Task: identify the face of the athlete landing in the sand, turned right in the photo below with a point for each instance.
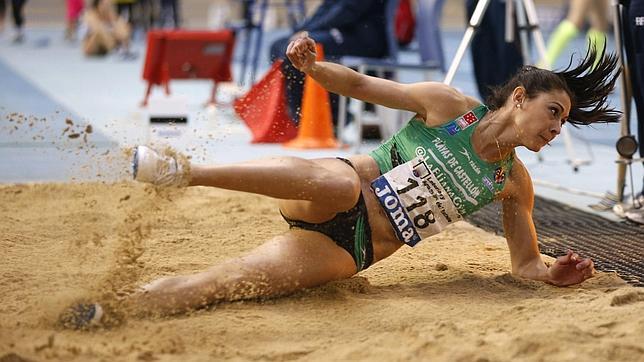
(539, 119)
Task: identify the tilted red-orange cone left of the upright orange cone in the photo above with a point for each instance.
(263, 109)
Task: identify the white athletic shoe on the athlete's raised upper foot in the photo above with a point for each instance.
(151, 167)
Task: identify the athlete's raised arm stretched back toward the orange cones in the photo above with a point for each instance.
(430, 100)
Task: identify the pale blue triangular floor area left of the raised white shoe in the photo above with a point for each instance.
(41, 140)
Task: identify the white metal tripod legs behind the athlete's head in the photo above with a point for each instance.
(528, 21)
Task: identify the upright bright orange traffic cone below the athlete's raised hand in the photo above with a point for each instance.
(316, 124)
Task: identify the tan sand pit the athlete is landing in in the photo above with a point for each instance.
(451, 298)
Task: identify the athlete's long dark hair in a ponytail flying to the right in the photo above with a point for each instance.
(588, 86)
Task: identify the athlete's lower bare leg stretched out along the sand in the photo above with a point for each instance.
(295, 260)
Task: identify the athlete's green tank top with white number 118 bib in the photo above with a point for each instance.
(431, 176)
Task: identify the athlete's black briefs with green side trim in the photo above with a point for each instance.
(350, 230)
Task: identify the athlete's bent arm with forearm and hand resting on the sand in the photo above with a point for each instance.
(521, 236)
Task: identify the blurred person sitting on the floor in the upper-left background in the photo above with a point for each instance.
(105, 30)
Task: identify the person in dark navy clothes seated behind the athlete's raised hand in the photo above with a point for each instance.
(343, 27)
